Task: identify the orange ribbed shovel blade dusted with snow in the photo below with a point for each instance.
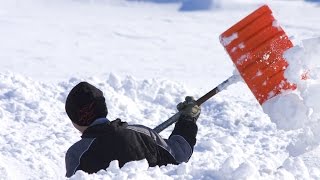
(256, 45)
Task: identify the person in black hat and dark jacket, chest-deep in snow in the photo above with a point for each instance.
(103, 141)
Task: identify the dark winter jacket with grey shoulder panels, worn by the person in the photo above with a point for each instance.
(116, 140)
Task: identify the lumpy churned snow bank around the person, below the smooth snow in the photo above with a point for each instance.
(234, 141)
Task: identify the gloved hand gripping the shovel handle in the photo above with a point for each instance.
(189, 109)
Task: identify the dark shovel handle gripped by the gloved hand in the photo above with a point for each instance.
(200, 101)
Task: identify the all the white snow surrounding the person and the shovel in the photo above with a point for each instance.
(146, 57)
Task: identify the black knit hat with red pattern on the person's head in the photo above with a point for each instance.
(85, 103)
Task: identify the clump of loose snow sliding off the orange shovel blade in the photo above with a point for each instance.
(300, 109)
